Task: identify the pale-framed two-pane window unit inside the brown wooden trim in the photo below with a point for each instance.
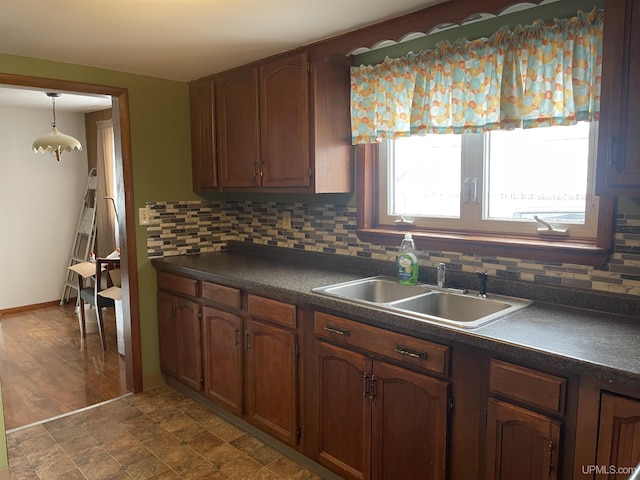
(493, 182)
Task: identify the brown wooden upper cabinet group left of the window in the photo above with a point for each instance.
(282, 126)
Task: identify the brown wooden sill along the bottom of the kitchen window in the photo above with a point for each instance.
(560, 250)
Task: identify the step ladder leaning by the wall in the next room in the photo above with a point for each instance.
(85, 236)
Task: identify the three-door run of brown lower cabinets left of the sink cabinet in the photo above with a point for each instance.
(243, 359)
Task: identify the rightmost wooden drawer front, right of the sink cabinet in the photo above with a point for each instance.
(534, 388)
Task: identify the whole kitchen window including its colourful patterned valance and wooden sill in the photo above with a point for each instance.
(478, 193)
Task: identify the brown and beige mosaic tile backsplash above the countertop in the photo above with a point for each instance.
(183, 228)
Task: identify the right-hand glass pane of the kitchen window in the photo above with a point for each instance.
(539, 171)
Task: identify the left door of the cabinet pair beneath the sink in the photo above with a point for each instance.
(344, 411)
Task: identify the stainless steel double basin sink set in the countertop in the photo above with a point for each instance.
(425, 302)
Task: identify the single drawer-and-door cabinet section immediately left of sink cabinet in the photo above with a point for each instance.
(271, 374)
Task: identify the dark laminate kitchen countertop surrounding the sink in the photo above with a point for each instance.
(580, 341)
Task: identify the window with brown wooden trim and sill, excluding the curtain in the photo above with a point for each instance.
(477, 194)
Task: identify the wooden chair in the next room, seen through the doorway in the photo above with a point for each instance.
(89, 294)
